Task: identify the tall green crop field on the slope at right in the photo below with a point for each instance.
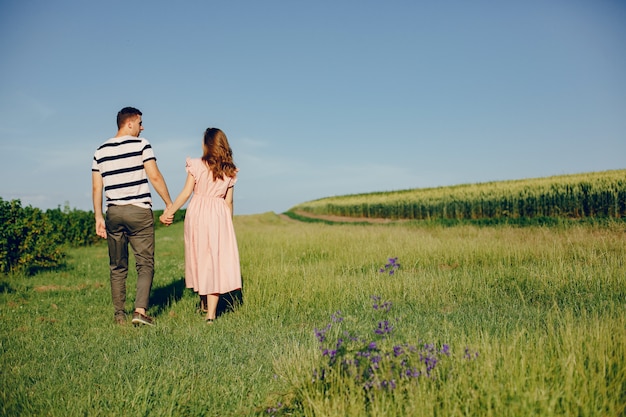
(597, 195)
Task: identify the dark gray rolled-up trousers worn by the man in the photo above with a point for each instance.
(134, 225)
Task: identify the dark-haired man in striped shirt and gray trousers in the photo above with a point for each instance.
(122, 167)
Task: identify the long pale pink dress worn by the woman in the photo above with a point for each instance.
(211, 253)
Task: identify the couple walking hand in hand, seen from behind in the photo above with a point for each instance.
(122, 167)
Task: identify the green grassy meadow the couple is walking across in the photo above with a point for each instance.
(544, 308)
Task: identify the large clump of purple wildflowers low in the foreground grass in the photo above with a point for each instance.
(373, 360)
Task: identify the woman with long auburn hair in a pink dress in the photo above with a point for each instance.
(211, 254)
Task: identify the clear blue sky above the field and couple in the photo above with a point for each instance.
(317, 98)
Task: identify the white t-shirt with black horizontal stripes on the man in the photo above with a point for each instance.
(120, 162)
